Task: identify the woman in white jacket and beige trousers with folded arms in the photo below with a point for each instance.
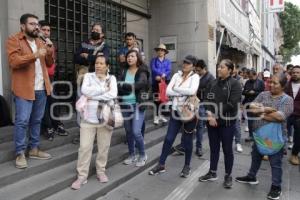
(100, 88)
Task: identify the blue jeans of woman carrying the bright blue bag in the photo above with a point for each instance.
(275, 162)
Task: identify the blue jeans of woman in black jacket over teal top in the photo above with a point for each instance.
(133, 127)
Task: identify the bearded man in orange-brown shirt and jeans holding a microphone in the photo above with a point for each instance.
(28, 57)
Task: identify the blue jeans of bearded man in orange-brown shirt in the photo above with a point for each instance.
(29, 114)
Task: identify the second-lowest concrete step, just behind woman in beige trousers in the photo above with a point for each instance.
(59, 178)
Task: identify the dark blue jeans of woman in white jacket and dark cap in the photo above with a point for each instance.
(173, 129)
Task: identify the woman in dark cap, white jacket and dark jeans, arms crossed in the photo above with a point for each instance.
(183, 84)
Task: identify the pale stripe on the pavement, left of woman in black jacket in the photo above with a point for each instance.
(188, 186)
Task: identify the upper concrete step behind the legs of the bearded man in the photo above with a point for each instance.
(8, 152)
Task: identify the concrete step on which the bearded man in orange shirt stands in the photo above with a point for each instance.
(63, 154)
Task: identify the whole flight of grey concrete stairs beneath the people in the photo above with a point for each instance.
(45, 179)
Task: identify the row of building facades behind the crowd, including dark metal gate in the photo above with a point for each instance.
(204, 28)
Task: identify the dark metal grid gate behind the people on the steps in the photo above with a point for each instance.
(71, 22)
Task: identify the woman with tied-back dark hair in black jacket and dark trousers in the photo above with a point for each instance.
(224, 95)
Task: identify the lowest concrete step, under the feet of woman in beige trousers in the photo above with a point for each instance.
(118, 174)
